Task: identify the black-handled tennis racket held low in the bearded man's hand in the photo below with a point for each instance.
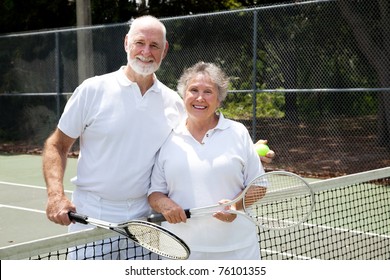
(150, 236)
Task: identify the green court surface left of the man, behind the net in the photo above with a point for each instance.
(23, 199)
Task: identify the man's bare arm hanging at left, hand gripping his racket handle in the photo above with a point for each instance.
(55, 155)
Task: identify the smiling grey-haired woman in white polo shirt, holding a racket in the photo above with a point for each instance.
(206, 160)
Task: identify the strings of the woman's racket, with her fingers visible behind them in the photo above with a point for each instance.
(287, 202)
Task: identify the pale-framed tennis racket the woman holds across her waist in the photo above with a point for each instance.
(275, 200)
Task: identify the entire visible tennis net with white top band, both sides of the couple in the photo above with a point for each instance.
(351, 220)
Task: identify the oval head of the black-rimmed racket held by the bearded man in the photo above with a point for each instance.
(157, 239)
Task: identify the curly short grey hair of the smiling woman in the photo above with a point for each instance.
(216, 74)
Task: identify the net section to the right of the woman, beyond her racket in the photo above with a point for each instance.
(351, 220)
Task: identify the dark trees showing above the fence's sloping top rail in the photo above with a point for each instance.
(21, 15)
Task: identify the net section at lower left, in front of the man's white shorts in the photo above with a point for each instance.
(90, 244)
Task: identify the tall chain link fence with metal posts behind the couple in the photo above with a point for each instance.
(310, 77)
